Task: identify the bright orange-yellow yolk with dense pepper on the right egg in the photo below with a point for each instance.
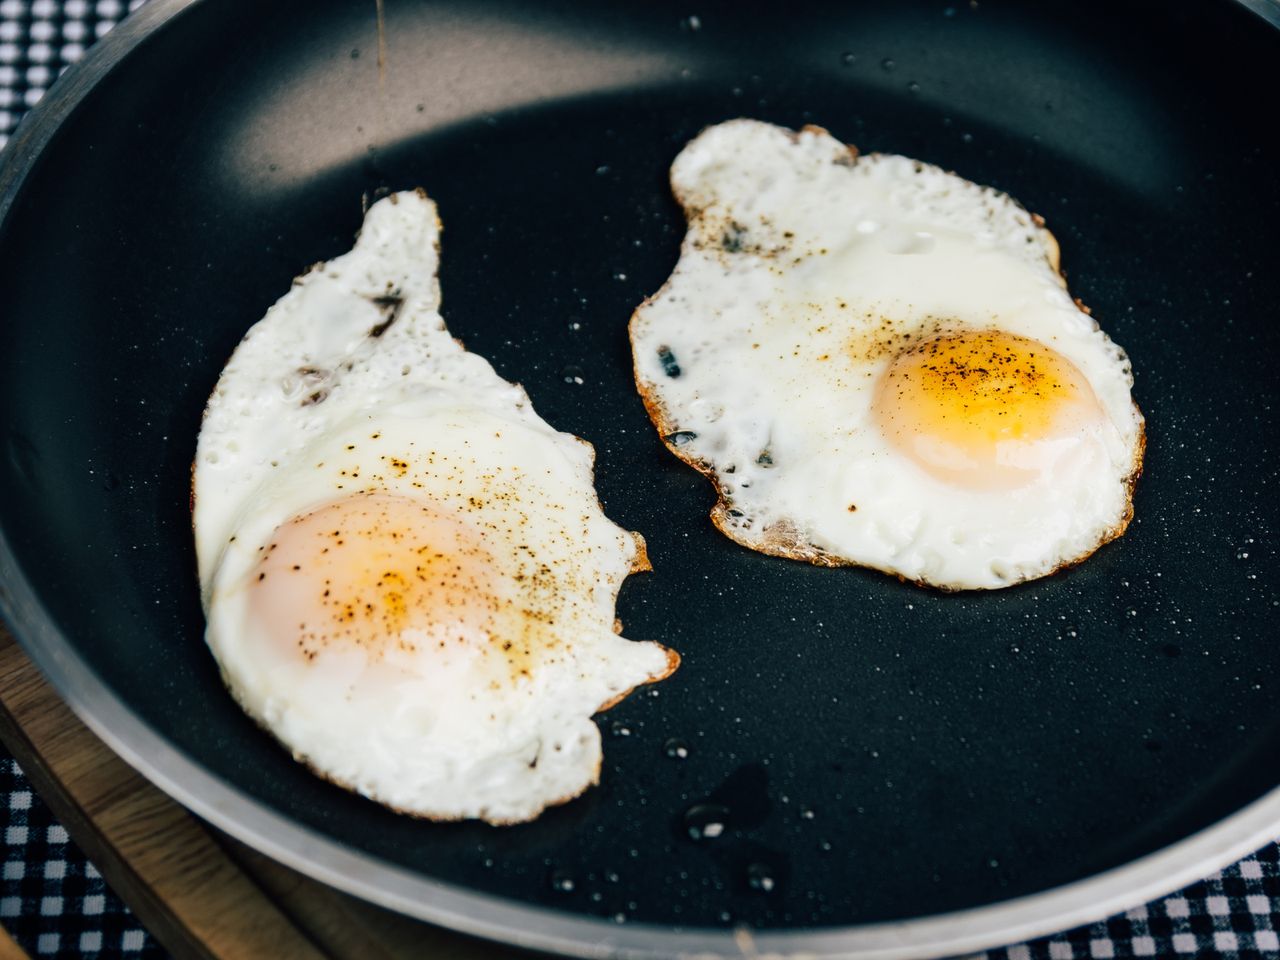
(986, 409)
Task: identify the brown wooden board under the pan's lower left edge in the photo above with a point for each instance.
(200, 893)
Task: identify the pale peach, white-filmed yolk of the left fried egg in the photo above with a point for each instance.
(383, 574)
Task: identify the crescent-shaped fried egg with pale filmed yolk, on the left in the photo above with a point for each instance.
(406, 573)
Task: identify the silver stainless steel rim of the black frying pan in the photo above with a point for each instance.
(330, 862)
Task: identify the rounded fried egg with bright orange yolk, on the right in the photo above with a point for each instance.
(877, 363)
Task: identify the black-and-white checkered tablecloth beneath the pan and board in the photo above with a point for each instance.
(56, 903)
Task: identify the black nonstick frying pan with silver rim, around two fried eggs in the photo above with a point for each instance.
(913, 774)
